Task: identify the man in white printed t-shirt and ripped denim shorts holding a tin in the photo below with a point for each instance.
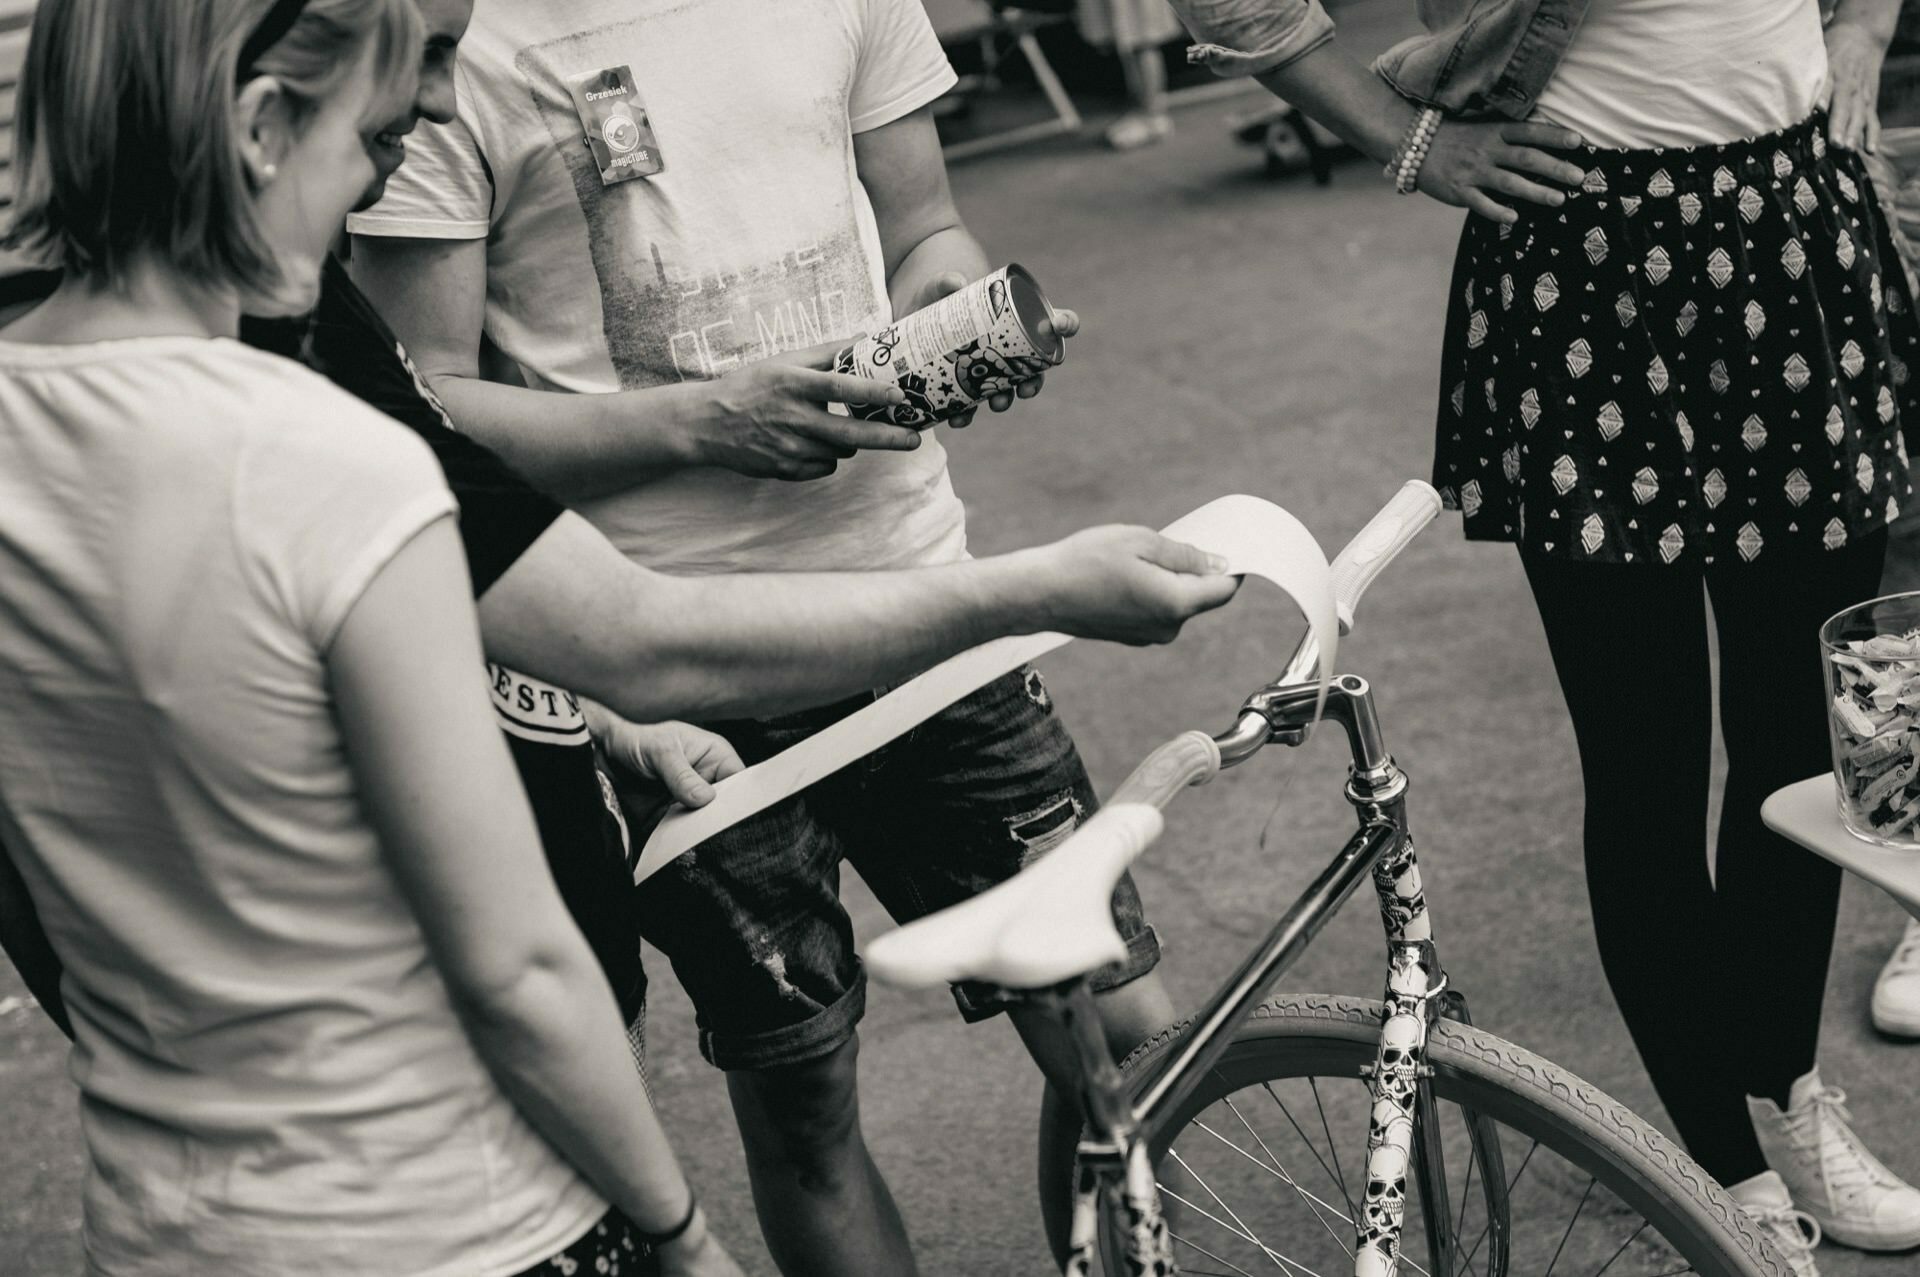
(671, 322)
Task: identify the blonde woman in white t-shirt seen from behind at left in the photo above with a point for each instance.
(329, 1013)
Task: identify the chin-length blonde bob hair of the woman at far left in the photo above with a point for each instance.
(126, 135)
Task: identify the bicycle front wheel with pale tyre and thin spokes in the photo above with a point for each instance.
(1262, 1170)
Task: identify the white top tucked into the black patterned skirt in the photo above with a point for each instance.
(1689, 72)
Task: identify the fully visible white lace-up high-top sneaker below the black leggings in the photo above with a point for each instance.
(1831, 1174)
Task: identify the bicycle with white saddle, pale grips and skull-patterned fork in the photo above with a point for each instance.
(1178, 1119)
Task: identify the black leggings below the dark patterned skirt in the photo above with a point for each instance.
(1719, 978)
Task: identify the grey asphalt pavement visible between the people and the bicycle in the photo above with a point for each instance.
(1241, 335)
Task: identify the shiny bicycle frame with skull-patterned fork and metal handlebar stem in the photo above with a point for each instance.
(1115, 1159)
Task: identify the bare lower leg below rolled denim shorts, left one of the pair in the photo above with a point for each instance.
(825, 1209)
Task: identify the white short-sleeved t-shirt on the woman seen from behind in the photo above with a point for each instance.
(272, 1074)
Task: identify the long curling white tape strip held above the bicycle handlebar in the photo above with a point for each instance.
(1257, 539)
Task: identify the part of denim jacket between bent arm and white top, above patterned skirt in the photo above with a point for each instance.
(1483, 57)
